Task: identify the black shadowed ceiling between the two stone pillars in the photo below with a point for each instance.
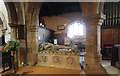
(55, 8)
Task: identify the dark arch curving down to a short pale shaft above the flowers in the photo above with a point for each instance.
(12, 18)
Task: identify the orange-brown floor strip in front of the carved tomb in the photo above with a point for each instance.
(46, 70)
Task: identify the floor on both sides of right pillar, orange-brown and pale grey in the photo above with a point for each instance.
(46, 70)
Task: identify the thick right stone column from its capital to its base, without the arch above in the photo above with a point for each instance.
(93, 56)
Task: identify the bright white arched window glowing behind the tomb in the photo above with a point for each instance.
(75, 29)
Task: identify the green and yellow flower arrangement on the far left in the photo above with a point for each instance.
(12, 45)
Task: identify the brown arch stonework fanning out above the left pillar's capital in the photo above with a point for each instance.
(32, 10)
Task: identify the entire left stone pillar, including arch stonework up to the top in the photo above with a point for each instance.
(31, 22)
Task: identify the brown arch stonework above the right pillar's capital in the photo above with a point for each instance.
(86, 7)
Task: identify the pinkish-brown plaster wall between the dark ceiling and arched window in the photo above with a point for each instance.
(53, 22)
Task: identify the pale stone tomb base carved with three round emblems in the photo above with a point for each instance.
(68, 61)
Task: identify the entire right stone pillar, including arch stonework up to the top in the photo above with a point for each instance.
(93, 18)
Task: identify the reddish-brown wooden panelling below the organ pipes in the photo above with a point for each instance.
(110, 36)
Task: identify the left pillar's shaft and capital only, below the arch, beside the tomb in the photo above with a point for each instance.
(32, 44)
